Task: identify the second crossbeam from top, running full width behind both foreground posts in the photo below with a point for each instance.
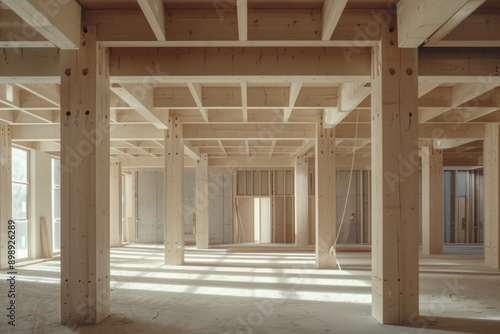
(259, 65)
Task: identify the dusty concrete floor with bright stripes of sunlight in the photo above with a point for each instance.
(265, 292)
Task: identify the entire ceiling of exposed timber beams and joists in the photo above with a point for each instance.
(251, 78)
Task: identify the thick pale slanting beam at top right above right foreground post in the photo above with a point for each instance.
(418, 20)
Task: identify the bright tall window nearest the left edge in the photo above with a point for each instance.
(20, 200)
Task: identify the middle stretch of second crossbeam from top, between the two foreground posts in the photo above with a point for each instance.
(238, 64)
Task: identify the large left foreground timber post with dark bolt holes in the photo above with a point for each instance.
(85, 270)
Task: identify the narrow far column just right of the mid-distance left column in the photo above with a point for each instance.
(202, 202)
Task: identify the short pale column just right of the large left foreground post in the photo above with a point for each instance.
(115, 205)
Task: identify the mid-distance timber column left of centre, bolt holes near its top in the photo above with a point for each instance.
(174, 192)
